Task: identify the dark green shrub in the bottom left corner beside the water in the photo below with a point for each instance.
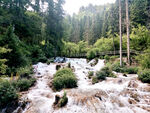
(8, 93)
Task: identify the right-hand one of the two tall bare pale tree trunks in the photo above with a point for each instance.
(128, 33)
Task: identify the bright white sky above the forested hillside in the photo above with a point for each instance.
(72, 6)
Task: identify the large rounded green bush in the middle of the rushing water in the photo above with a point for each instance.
(64, 78)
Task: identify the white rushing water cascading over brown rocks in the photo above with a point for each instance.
(114, 95)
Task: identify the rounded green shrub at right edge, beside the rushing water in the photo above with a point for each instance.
(144, 76)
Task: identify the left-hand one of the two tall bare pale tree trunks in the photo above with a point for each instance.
(120, 28)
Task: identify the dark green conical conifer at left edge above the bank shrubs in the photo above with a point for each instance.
(16, 58)
